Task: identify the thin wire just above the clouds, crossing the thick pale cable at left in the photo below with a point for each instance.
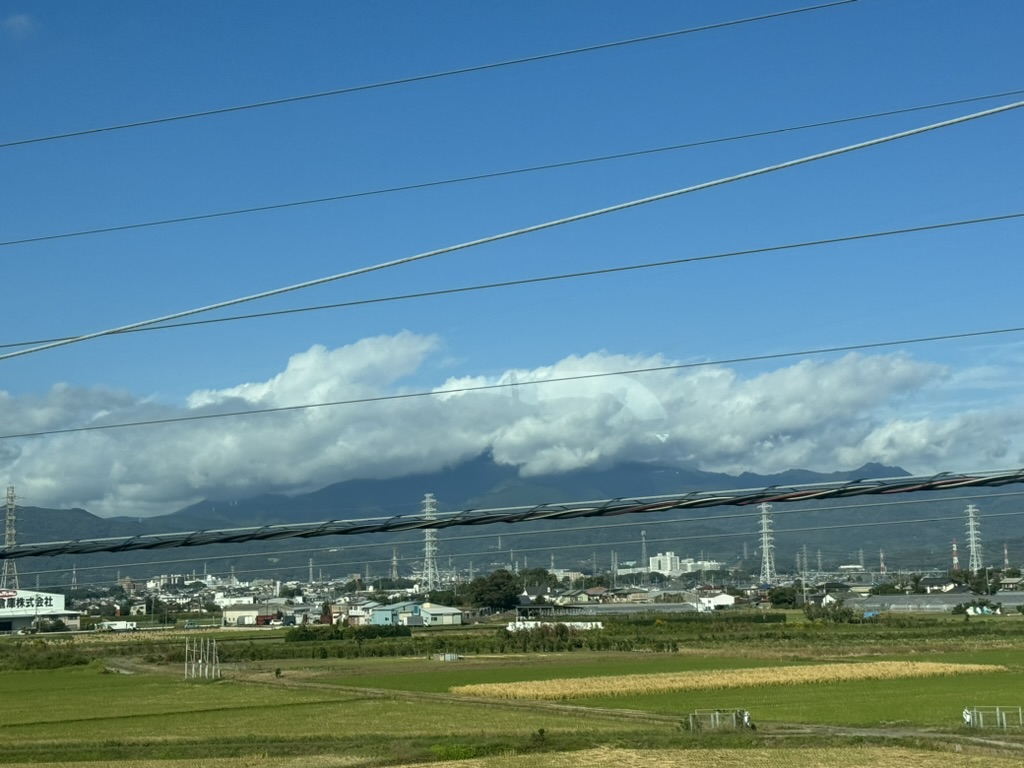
(553, 278)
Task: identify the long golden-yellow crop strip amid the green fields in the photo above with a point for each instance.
(627, 686)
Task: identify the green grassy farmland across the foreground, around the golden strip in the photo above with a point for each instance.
(396, 712)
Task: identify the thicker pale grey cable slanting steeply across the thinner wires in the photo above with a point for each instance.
(528, 230)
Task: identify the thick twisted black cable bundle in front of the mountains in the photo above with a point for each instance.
(569, 511)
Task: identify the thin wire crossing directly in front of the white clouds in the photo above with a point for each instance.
(508, 386)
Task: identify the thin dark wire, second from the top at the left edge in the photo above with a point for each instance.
(497, 175)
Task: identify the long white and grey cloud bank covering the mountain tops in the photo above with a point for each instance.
(816, 414)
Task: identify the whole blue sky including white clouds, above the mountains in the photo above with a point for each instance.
(68, 67)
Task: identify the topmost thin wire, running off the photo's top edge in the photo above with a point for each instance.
(419, 78)
